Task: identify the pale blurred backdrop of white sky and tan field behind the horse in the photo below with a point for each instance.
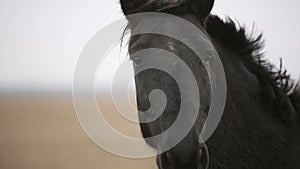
(40, 42)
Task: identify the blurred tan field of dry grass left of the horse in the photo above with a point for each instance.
(42, 132)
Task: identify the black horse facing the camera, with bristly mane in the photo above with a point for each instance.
(260, 128)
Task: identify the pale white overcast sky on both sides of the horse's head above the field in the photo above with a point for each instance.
(40, 40)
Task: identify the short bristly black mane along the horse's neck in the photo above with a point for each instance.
(276, 86)
